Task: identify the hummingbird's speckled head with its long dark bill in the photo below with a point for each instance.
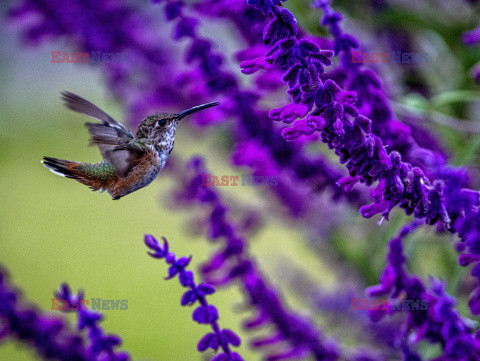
(159, 129)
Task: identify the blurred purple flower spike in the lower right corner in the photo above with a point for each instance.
(439, 322)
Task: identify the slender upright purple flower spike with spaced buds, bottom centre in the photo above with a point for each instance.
(205, 313)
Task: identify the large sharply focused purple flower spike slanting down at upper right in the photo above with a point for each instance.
(344, 129)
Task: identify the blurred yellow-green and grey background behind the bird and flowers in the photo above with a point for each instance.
(54, 230)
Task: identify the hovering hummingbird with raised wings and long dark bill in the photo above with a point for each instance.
(129, 162)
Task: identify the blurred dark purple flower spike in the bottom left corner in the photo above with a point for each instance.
(50, 336)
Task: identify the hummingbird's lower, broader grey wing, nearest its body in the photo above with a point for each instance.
(116, 146)
